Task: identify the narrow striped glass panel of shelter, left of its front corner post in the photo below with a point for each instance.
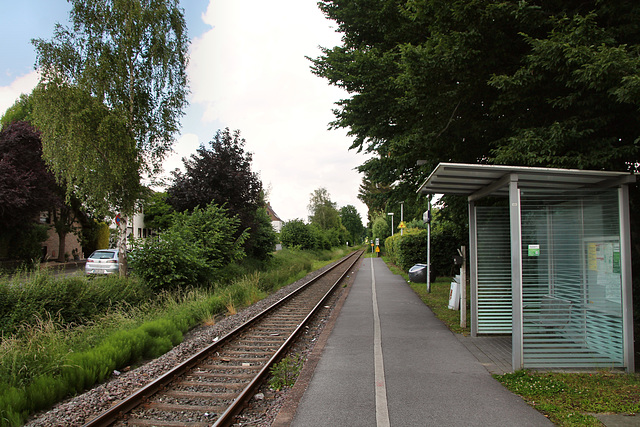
(494, 270)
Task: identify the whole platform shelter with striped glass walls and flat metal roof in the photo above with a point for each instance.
(549, 261)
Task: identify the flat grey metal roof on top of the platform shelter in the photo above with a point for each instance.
(470, 179)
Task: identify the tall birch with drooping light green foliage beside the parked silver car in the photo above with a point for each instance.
(112, 91)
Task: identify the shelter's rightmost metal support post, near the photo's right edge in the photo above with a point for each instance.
(626, 282)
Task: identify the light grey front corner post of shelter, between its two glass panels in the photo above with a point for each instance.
(516, 272)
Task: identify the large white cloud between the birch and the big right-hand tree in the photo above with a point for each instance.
(249, 72)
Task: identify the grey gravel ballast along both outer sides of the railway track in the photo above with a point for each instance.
(263, 409)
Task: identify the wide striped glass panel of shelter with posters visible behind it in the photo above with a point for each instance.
(572, 305)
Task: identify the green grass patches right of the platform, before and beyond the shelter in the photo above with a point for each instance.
(567, 399)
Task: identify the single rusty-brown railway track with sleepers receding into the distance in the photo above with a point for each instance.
(214, 385)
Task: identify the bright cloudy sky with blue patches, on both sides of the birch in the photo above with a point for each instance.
(247, 71)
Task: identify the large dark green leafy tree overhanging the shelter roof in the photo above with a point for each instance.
(530, 83)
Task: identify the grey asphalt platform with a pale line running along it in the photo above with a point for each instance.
(390, 362)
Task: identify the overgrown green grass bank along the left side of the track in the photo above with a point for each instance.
(62, 336)
